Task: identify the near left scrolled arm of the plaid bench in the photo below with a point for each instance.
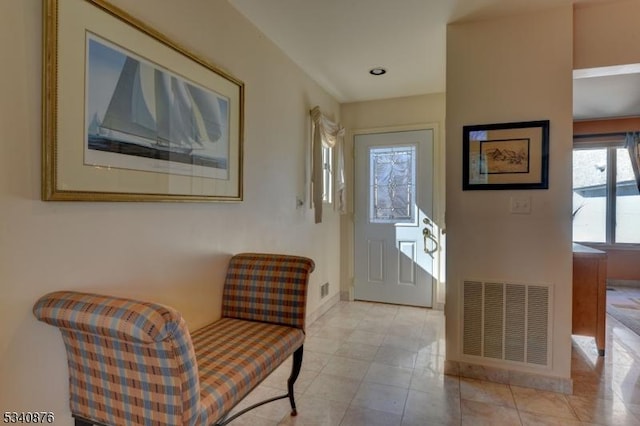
(130, 362)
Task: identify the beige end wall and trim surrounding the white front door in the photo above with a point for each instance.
(395, 114)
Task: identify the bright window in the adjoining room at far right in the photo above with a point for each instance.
(606, 200)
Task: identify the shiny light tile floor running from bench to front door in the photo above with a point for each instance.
(374, 364)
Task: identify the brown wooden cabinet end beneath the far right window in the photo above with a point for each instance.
(590, 294)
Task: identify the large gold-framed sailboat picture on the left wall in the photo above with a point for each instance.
(131, 116)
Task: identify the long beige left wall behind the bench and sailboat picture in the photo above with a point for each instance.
(166, 252)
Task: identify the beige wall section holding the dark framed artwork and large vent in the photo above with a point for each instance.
(511, 69)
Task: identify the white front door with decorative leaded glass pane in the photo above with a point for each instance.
(394, 242)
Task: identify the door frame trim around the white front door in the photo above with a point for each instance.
(348, 224)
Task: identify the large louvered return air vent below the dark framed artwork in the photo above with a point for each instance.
(507, 321)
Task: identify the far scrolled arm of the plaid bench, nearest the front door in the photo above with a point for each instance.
(267, 287)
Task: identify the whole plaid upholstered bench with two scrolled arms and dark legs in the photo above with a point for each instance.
(136, 363)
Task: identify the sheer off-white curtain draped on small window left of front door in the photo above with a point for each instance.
(328, 134)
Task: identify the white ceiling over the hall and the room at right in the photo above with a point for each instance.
(337, 42)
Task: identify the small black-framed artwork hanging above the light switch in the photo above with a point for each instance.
(506, 156)
